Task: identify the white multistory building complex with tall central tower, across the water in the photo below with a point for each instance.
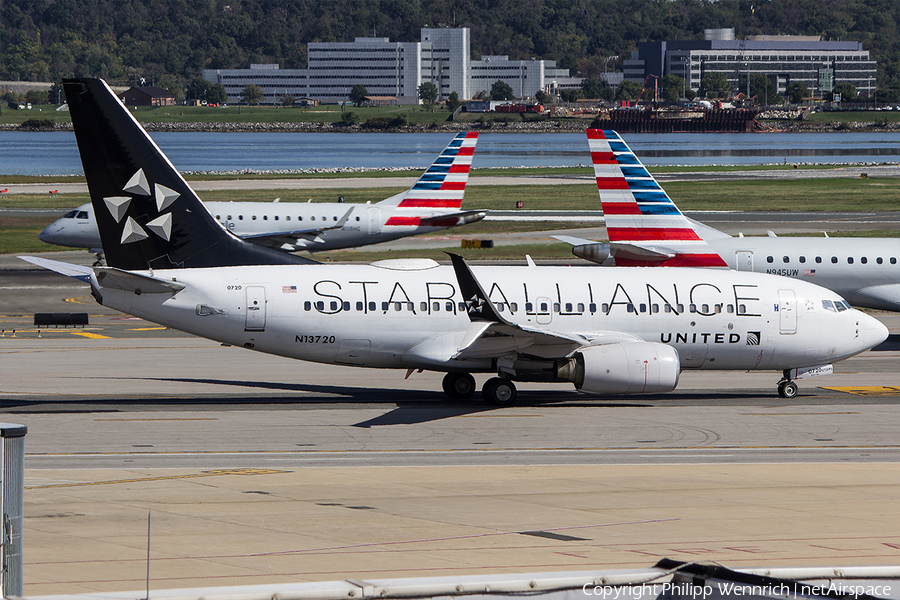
(396, 69)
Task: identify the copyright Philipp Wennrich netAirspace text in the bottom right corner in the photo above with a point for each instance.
(728, 589)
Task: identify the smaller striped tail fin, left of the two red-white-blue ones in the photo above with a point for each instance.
(444, 183)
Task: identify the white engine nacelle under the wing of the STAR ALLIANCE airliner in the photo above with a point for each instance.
(623, 368)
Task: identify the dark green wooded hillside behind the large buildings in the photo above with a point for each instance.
(168, 42)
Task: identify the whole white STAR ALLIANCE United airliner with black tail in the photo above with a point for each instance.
(608, 331)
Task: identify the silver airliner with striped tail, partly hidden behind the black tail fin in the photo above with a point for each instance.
(433, 203)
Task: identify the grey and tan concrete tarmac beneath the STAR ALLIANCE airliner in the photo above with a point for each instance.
(259, 469)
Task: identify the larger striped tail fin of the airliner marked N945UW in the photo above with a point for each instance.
(644, 226)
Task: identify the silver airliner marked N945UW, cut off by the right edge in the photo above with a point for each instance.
(645, 228)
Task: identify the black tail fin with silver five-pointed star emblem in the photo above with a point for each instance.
(148, 216)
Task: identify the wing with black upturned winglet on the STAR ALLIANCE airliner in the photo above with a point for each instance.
(491, 335)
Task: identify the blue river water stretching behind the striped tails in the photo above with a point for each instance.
(55, 153)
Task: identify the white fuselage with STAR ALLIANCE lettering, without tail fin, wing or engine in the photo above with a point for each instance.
(413, 316)
